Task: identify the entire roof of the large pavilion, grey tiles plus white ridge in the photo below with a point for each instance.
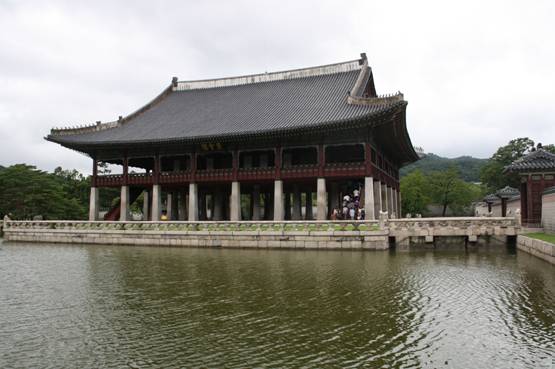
(243, 106)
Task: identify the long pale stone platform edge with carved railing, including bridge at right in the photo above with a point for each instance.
(262, 234)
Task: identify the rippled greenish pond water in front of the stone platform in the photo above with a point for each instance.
(96, 306)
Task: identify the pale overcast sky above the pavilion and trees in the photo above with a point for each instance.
(476, 73)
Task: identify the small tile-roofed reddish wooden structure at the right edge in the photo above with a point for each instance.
(537, 173)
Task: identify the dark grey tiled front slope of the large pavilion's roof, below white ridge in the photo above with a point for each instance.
(238, 109)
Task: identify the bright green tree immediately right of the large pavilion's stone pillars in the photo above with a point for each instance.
(414, 188)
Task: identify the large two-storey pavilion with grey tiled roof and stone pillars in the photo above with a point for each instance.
(254, 147)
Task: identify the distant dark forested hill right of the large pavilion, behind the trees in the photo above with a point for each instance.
(468, 166)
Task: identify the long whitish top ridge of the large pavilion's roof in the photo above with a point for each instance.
(320, 70)
